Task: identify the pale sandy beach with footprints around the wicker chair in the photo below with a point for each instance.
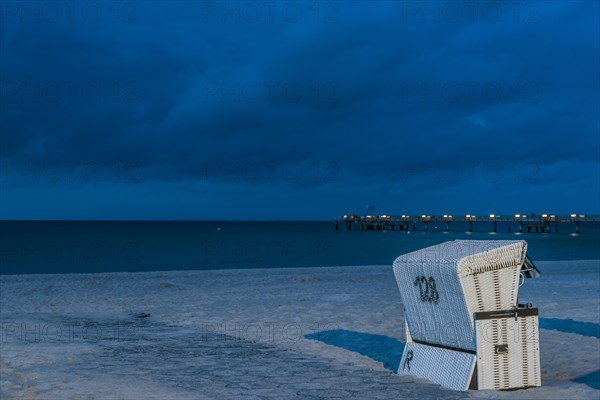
(334, 332)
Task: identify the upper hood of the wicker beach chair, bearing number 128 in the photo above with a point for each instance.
(443, 285)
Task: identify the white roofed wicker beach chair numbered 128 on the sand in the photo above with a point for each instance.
(462, 313)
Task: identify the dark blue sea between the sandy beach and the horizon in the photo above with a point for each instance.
(59, 247)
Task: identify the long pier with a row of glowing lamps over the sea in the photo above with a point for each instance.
(543, 223)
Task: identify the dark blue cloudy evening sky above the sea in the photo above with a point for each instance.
(298, 110)
